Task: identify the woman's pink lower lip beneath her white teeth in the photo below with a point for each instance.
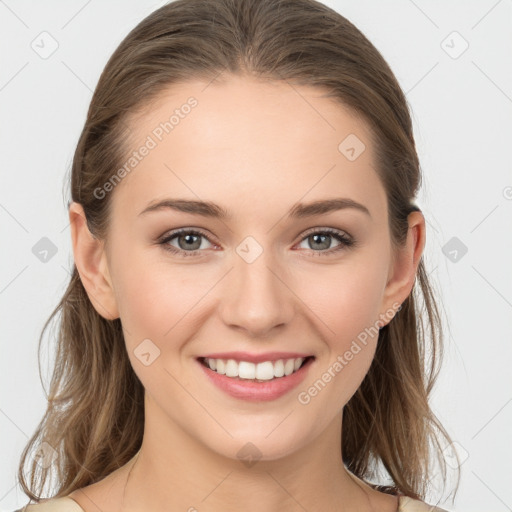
(257, 391)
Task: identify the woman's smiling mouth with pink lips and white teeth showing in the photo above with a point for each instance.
(263, 381)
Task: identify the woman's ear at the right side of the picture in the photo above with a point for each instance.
(403, 268)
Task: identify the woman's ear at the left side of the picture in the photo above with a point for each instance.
(91, 263)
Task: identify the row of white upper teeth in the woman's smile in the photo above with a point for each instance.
(266, 370)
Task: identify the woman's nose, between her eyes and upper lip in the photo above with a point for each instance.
(256, 296)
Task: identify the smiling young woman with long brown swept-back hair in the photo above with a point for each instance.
(242, 329)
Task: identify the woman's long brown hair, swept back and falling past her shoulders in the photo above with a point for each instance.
(95, 414)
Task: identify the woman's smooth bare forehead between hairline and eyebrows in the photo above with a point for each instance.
(250, 145)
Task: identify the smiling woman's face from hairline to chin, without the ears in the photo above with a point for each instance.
(265, 279)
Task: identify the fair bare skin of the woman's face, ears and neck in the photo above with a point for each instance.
(255, 148)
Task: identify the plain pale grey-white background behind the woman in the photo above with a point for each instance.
(461, 103)
